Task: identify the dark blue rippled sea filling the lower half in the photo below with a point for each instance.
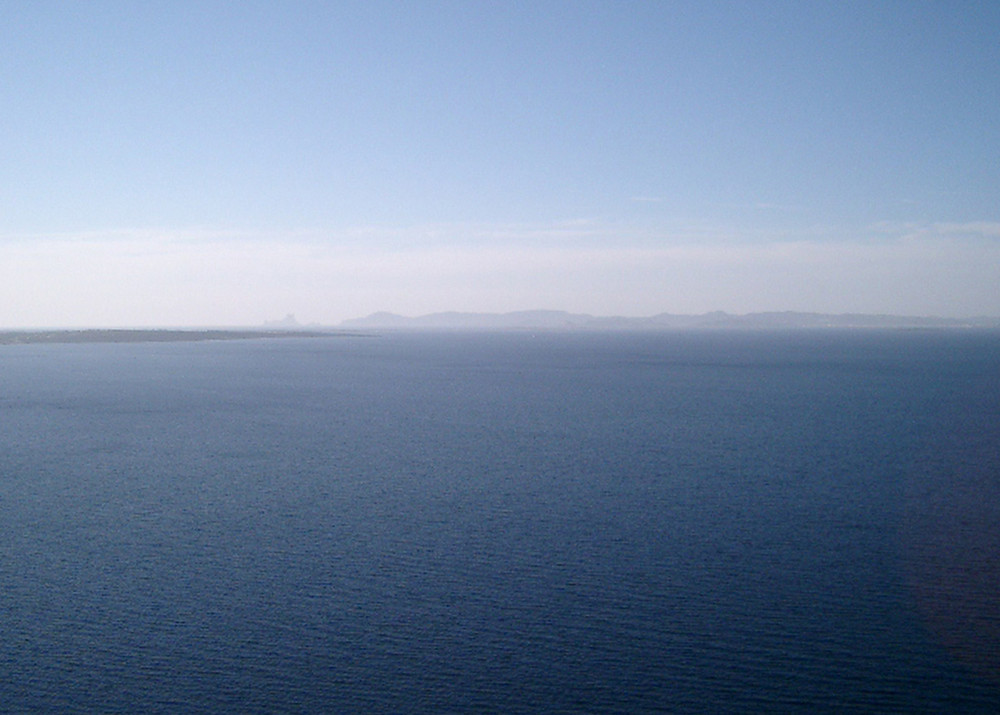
(690, 522)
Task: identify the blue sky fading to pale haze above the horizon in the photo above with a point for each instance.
(216, 163)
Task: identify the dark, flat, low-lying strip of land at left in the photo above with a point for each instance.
(125, 335)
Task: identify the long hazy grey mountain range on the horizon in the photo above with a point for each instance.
(561, 320)
